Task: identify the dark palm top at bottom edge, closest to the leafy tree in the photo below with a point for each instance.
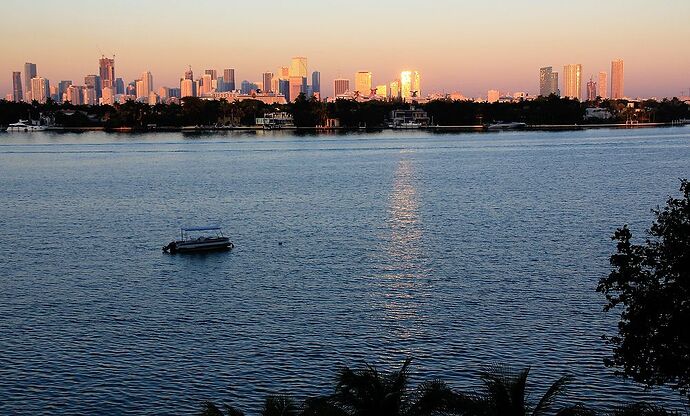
(506, 395)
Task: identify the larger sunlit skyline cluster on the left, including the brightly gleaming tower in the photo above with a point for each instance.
(280, 87)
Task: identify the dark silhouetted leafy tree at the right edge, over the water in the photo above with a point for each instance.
(651, 283)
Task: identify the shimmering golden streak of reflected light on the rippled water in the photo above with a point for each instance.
(402, 266)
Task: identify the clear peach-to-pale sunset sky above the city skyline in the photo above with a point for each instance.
(457, 45)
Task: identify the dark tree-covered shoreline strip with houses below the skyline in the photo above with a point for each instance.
(197, 113)
